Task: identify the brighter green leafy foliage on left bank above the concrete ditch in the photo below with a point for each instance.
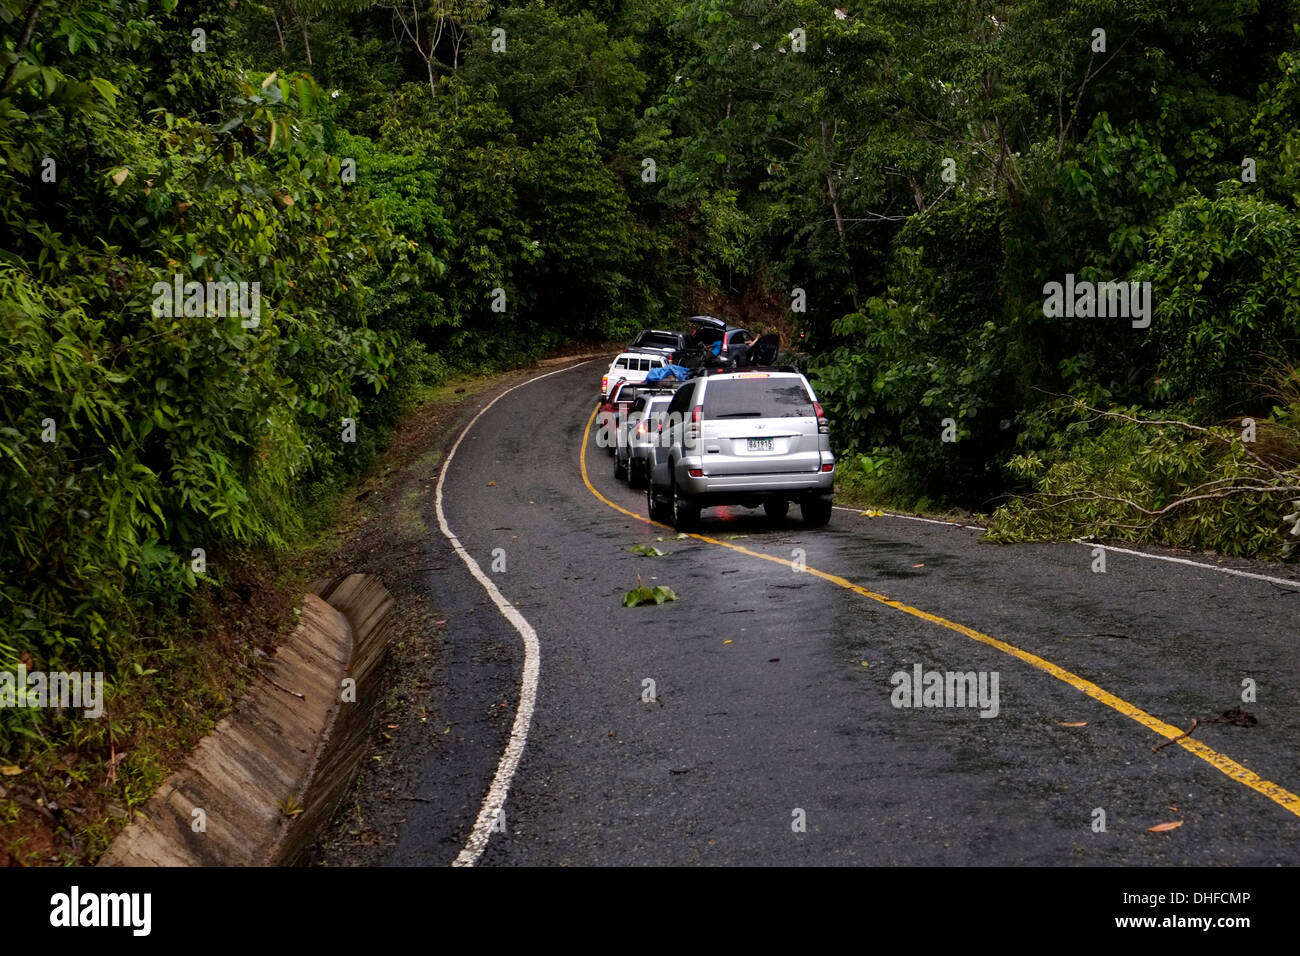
(135, 435)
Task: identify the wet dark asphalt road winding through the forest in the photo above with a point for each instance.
(773, 737)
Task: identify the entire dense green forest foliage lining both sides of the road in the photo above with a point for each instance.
(473, 187)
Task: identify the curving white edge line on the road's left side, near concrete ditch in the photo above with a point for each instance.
(496, 799)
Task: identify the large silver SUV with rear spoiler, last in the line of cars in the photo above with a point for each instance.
(755, 438)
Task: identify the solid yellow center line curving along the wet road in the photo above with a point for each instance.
(1243, 776)
